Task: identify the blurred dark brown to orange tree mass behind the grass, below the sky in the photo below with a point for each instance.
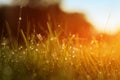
(35, 19)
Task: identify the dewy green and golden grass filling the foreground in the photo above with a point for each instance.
(53, 59)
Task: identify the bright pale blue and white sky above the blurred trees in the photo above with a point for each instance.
(103, 14)
